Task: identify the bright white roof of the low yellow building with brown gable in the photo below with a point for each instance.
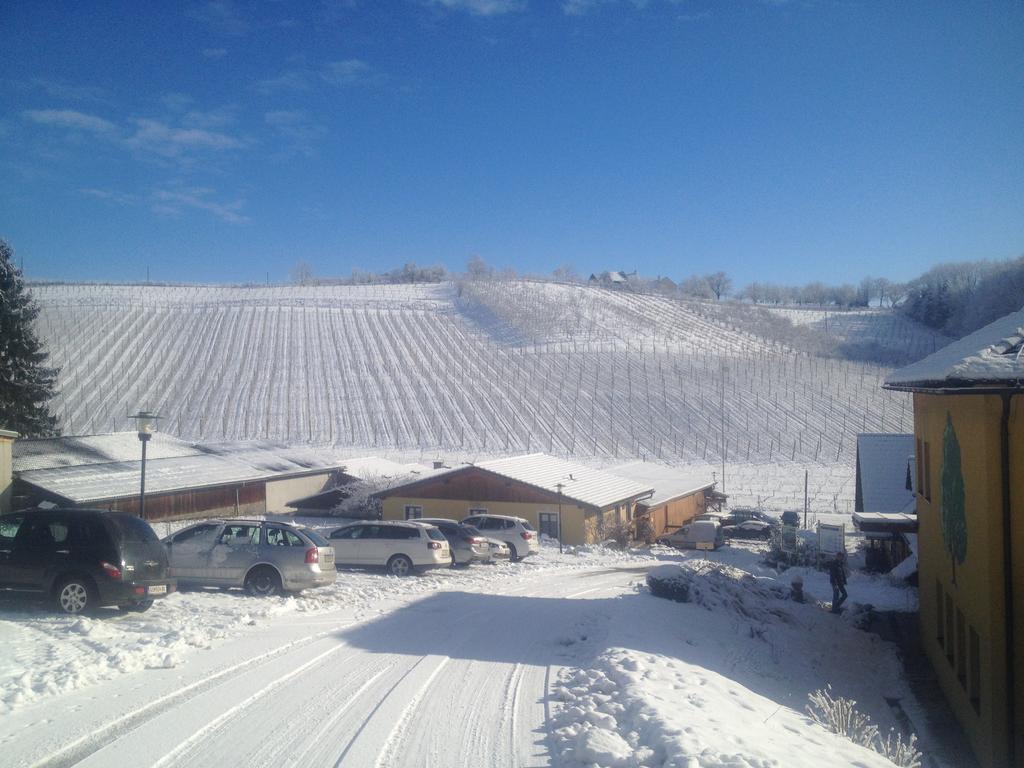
(591, 487)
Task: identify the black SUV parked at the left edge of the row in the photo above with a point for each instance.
(83, 559)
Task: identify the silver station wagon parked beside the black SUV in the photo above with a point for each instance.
(262, 557)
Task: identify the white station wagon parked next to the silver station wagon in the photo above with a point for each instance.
(402, 547)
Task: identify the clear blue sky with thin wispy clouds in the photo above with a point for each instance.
(780, 142)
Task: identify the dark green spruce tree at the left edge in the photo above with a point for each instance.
(26, 383)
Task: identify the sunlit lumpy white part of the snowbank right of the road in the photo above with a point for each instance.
(641, 710)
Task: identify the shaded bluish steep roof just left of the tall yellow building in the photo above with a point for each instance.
(883, 462)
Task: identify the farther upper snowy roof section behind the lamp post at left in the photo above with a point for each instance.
(49, 453)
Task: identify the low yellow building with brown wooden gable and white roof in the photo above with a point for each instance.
(538, 488)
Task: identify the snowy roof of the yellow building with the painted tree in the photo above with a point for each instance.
(992, 356)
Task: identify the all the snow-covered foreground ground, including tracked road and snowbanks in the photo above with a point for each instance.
(564, 660)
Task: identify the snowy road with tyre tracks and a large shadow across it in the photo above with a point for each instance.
(455, 678)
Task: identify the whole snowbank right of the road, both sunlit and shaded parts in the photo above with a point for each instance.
(723, 679)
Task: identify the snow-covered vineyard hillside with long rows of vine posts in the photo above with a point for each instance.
(474, 368)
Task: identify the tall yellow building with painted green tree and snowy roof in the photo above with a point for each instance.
(969, 433)
